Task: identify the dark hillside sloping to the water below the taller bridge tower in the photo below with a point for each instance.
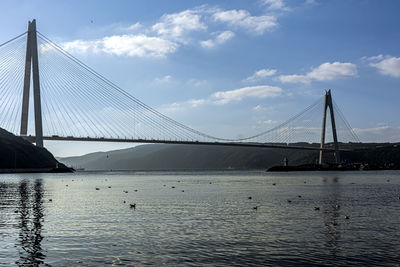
(17, 153)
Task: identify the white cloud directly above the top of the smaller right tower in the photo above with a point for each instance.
(324, 72)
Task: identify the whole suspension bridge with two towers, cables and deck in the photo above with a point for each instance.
(73, 102)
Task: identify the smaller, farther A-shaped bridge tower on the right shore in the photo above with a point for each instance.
(328, 104)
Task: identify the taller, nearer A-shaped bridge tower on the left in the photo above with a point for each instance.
(32, 63)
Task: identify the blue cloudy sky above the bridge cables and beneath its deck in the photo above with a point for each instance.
(232, 68)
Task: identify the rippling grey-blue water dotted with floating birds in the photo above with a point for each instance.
(206, 220)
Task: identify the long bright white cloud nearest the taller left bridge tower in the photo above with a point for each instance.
(124, 45)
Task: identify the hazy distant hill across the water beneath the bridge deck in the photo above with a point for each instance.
(181, 157)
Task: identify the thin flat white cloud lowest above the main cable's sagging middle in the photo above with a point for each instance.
(262, 91)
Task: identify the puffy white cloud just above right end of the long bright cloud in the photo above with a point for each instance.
(175, 26)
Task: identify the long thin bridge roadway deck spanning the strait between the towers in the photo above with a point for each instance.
(149, 141)
